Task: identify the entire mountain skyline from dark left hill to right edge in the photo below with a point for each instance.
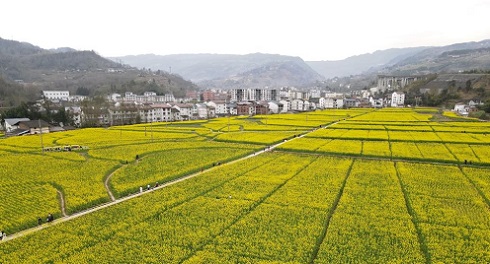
(68, 69)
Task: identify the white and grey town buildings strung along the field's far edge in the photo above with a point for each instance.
(130, 108)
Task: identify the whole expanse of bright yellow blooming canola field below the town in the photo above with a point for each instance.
(342, 186)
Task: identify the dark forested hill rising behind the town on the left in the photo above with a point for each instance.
(31, 69)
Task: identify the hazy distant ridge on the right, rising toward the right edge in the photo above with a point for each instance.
(410, 61)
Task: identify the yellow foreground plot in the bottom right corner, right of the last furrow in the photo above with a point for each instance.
(453, 217)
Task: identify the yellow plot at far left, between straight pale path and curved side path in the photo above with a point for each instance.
(81, 182)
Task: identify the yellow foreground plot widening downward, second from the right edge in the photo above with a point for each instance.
(371, 222)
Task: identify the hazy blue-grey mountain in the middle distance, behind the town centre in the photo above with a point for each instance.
(231, 71)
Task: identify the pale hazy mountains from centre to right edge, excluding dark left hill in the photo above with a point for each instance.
(229, 71)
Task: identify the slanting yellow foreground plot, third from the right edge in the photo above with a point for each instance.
(288, 225)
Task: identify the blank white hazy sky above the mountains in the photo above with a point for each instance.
(310, 29)
